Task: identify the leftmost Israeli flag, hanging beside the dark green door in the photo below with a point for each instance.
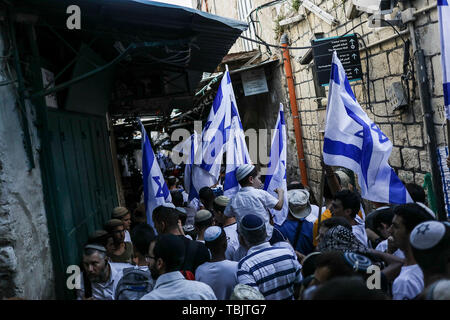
(156, 191)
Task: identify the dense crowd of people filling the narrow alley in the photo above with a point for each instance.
(217, 248)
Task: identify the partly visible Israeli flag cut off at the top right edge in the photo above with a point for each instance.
(444, 28)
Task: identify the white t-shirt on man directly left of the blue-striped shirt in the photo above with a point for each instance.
(220, 276)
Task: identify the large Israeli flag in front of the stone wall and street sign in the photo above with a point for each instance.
(353, 141)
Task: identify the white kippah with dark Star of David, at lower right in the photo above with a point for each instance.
(427, 234)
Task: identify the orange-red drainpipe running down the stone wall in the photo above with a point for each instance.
(294, 109)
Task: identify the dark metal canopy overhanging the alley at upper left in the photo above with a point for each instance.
(173, 40)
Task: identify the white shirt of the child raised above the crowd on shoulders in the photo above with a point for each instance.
(255, 201)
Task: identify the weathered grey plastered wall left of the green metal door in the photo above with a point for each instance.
(25, 260)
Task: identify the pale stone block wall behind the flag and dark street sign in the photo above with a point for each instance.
(409, 156)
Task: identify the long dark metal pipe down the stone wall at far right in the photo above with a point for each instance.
(425, 99)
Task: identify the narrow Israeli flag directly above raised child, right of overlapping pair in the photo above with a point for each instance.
(236, 150)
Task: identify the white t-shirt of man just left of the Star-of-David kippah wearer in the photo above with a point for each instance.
(408, 284)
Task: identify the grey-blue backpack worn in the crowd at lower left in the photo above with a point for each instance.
(133, 285)
